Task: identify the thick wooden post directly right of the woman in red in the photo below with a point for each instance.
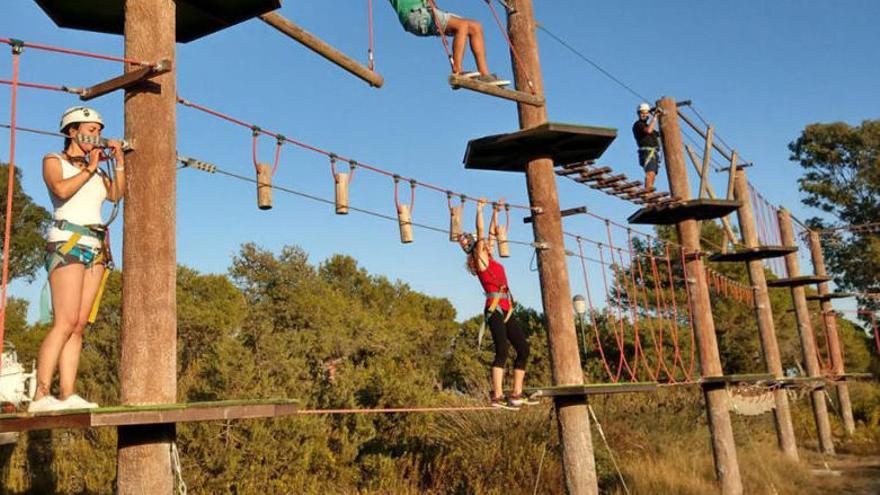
(571, 412)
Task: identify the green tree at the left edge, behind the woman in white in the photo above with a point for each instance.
(29, 224)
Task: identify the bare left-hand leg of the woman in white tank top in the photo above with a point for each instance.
(66, 284)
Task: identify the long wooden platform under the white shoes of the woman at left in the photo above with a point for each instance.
(152, 414)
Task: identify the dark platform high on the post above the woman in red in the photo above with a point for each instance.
(563, 143)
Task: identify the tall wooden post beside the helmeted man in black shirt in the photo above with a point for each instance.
(723, 445)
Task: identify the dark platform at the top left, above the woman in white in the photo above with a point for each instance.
(195, 18)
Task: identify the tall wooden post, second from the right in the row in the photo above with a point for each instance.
(805, 332)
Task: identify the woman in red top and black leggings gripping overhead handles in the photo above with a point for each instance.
(498, 310)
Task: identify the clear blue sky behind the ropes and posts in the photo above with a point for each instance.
(759, 71)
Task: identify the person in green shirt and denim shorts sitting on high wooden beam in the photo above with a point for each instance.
(420, 18)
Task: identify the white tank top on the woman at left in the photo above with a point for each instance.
(83, 208)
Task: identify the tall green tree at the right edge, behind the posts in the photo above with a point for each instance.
(842, 177)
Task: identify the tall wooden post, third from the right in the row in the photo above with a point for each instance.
(764, 315)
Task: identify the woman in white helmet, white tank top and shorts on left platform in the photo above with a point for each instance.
(75, 249)
